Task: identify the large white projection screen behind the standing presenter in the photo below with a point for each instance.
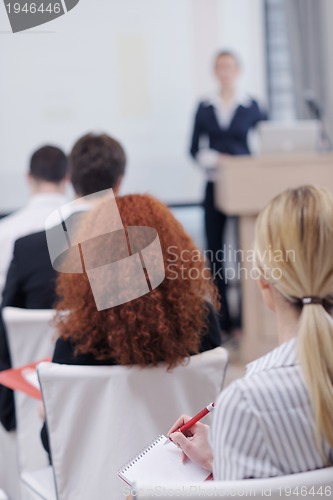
(132, 68)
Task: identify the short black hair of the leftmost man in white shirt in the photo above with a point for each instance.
(48, 164)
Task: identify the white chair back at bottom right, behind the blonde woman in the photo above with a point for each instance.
(316, 484)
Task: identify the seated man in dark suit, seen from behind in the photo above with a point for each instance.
(96, 163)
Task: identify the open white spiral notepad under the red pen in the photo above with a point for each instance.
(159, 462)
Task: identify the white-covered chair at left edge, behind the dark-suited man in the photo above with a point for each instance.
(31, 337)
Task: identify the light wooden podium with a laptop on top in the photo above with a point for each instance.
(245, 184)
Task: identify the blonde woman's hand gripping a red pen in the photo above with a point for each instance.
(194, 443)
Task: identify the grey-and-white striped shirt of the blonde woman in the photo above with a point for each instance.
(263, 425)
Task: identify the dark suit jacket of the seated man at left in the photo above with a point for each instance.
(30, 284)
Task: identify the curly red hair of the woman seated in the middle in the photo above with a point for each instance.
(166, 324)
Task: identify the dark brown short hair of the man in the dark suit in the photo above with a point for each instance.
(97, 162)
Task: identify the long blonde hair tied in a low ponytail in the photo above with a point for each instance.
(301, 220)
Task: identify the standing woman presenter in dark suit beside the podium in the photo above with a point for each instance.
(221, 127)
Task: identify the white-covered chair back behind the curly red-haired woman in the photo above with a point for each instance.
(100, 417)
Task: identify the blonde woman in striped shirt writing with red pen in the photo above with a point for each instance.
(278, 419)
